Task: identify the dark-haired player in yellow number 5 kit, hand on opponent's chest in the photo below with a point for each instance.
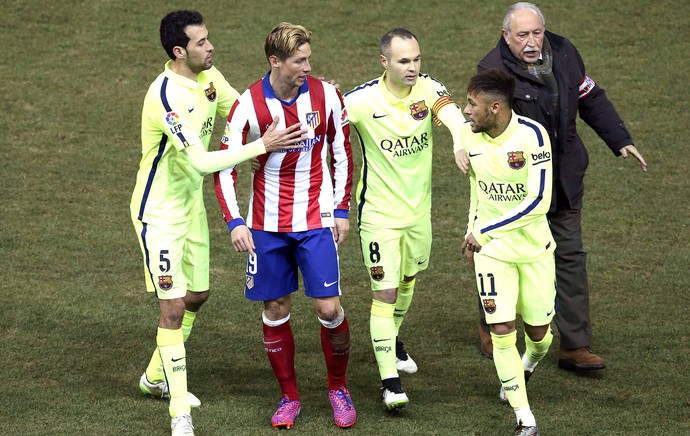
(167, 205)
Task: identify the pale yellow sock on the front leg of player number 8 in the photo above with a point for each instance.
(382, 330)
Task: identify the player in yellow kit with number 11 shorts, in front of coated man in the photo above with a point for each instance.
(508, 238)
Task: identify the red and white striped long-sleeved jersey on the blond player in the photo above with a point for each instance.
(301, 189)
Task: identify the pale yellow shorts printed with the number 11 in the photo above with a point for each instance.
(509, 289)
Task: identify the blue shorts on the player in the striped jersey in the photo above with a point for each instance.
(272, 271)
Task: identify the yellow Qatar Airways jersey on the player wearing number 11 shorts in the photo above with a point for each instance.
(510, 180)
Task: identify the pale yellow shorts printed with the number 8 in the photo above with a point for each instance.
(391, 254)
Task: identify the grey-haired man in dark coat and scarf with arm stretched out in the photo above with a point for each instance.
(552, 87)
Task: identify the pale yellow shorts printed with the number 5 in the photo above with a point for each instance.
(176, 256)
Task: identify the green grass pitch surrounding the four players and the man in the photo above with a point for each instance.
(77, 327)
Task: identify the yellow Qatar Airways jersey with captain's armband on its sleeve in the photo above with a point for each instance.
(395, 135)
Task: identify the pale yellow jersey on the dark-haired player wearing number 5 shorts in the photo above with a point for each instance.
(177, 112)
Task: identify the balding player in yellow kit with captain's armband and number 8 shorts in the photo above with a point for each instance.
(392, 118)
